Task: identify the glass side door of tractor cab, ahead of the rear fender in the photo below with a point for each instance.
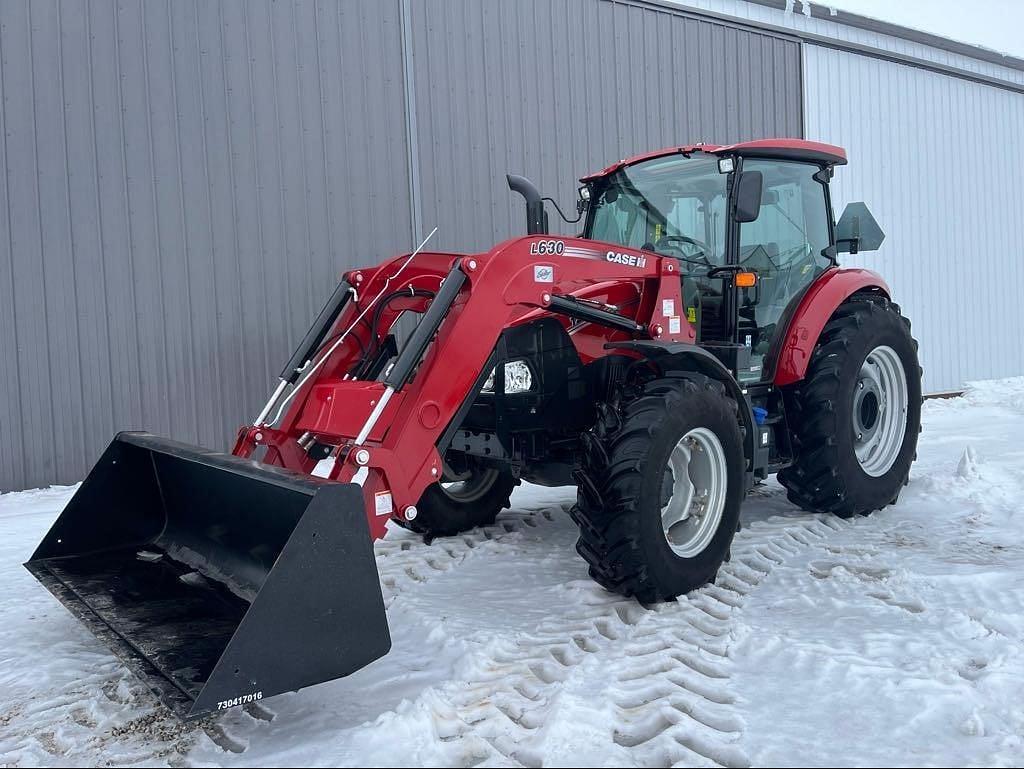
(787, 246)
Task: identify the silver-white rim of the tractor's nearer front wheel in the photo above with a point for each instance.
(695, 490)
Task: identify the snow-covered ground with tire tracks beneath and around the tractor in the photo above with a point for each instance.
(891, 640)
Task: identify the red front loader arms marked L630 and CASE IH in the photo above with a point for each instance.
(383, 435)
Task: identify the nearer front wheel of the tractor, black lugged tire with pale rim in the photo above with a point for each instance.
(628, 487)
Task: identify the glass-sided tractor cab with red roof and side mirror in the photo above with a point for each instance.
(750, 225)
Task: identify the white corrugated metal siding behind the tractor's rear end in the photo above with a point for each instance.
(940, 162)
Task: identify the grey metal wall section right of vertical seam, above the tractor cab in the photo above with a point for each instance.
(558, 90)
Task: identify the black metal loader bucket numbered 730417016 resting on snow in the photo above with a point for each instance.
(218, 580)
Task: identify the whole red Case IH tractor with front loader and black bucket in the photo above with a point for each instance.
(698, 337)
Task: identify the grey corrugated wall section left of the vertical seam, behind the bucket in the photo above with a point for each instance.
(184, 182)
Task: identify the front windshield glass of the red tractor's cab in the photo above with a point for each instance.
(673, 205)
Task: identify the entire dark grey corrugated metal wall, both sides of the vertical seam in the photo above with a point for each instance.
(185, 180)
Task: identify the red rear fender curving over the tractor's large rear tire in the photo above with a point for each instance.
(810, 315)
